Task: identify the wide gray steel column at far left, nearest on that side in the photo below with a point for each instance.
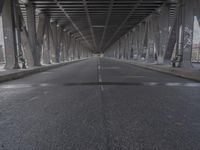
(11, 54)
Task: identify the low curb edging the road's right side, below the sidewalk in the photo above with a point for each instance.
(186, 74)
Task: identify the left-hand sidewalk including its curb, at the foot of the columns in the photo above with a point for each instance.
(7, 75)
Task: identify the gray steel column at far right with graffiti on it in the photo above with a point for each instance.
(188, 25)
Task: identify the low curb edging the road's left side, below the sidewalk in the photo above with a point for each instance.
(23, 73)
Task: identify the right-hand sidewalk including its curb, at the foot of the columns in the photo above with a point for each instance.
(193, 74)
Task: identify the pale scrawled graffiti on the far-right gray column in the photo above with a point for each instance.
(188, 37)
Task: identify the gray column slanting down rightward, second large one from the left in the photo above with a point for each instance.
(31, 22)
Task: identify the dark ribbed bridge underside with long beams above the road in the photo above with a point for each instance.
(98, 22)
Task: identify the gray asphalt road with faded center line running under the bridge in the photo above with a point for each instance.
(100, 104)
